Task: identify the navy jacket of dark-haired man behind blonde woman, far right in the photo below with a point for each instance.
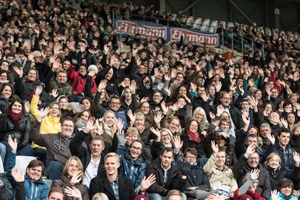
(287, 165)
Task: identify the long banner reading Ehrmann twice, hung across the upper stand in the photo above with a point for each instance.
(167, 32)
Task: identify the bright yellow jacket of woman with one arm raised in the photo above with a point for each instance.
(49, 123)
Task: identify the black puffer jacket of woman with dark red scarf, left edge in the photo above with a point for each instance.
(8, 127)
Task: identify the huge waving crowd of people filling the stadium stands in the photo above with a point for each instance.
(158, 121)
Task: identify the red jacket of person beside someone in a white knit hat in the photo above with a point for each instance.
(78, 82)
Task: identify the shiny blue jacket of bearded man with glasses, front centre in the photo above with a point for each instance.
(134, 170)
